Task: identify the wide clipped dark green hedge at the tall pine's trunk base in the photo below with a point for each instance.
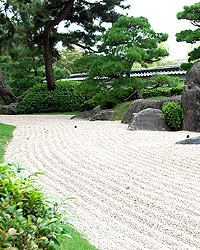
(63, 99)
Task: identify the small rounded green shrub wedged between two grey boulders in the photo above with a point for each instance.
(173, 114)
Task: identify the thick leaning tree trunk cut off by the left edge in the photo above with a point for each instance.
(5, 91)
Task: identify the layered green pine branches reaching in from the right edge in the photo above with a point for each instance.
(191, 13)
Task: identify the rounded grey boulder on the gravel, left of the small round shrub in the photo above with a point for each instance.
(148, 119)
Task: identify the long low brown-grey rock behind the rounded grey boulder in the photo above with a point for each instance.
(141, 104)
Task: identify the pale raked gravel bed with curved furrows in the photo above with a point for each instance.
(133, 189)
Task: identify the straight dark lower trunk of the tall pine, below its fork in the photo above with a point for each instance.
(48, 62)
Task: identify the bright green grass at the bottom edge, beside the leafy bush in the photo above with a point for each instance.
(77, 242)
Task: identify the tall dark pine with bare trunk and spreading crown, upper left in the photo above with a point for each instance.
(37, 22)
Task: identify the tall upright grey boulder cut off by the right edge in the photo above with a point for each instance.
(191, 99)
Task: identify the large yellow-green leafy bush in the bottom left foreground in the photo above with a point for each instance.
(28, 219)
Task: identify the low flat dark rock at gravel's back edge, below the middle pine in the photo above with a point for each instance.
(94, 115)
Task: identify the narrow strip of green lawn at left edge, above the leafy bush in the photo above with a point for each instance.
(6, 133)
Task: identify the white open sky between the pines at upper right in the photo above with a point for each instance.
(162, 17)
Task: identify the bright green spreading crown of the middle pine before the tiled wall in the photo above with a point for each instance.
(130, 40)
